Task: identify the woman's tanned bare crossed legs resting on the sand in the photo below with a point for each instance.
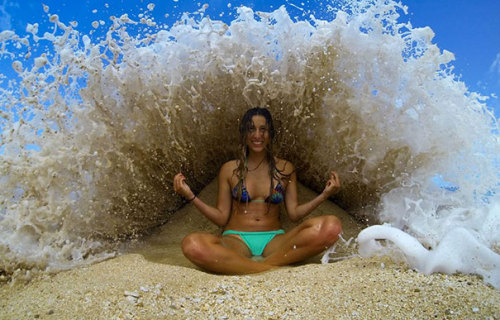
(230, 255)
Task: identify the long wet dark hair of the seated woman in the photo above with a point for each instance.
(246, 124)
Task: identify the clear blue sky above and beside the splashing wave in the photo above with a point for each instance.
(469, 29)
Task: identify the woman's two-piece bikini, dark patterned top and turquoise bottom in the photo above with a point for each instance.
(257, 241)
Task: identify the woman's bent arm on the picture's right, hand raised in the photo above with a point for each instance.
(298, 211)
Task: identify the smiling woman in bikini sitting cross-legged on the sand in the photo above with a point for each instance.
(250, 190)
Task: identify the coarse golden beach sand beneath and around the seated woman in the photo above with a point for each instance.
(152, 280)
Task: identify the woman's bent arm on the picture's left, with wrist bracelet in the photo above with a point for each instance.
(218, 214)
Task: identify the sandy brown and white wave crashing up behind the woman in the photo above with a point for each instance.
(95, 124)
